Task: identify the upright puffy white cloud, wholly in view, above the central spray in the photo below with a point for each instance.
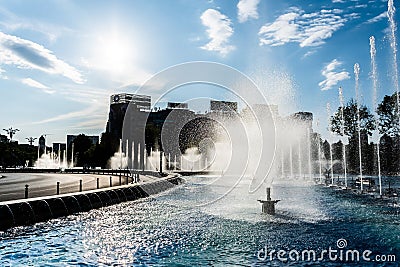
(219, 31)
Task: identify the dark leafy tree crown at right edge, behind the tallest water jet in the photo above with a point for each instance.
(388, 115)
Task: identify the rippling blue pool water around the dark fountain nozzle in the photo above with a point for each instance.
(171, 230)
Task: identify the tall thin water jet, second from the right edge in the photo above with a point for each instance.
(374, 74)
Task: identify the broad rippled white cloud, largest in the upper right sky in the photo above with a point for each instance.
(307, 29)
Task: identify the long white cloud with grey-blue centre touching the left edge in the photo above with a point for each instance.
(27, 54)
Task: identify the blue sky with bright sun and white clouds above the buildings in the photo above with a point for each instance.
(61, 60)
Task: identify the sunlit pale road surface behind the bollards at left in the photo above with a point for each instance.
(12, 185)
